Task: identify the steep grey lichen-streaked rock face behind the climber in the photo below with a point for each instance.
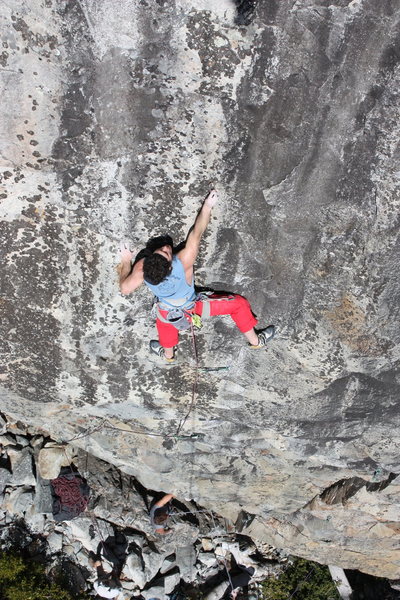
(120, 116)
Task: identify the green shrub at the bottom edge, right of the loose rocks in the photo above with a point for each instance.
(304, 580)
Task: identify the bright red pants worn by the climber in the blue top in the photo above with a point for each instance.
(220, 304)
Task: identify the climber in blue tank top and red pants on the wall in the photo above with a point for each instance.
(170, 277)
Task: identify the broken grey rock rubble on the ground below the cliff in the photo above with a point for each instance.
(198, 549)
